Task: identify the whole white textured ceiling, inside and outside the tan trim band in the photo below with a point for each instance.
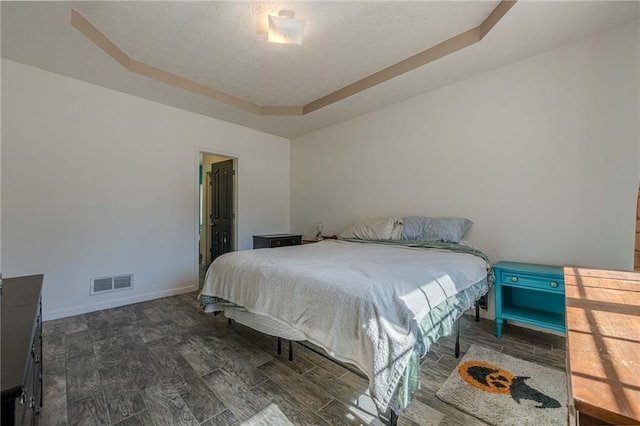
(218, 44)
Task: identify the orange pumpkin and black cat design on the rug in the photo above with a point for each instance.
(496, 380)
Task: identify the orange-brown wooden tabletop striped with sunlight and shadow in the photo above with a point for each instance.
(603, 345)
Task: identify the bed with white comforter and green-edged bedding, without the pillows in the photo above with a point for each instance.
(375, 304)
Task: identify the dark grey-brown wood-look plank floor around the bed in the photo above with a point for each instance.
(165, 362)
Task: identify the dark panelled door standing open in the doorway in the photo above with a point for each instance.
(221, 216)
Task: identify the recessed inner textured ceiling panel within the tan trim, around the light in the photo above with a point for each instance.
(217, 43)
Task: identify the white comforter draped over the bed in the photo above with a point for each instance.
(360, 302)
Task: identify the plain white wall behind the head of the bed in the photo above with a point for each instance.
(542, 155)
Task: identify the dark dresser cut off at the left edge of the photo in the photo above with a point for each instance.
(21, 350)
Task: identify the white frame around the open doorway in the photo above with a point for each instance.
(199, 152)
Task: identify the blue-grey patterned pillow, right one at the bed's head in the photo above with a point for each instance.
(447, 229)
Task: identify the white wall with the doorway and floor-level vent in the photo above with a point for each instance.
(96, 182)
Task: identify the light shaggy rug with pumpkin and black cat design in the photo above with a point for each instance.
(502, 390)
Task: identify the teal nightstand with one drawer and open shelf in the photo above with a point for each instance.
(529, 294)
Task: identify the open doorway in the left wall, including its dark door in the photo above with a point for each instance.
(217, 224)
